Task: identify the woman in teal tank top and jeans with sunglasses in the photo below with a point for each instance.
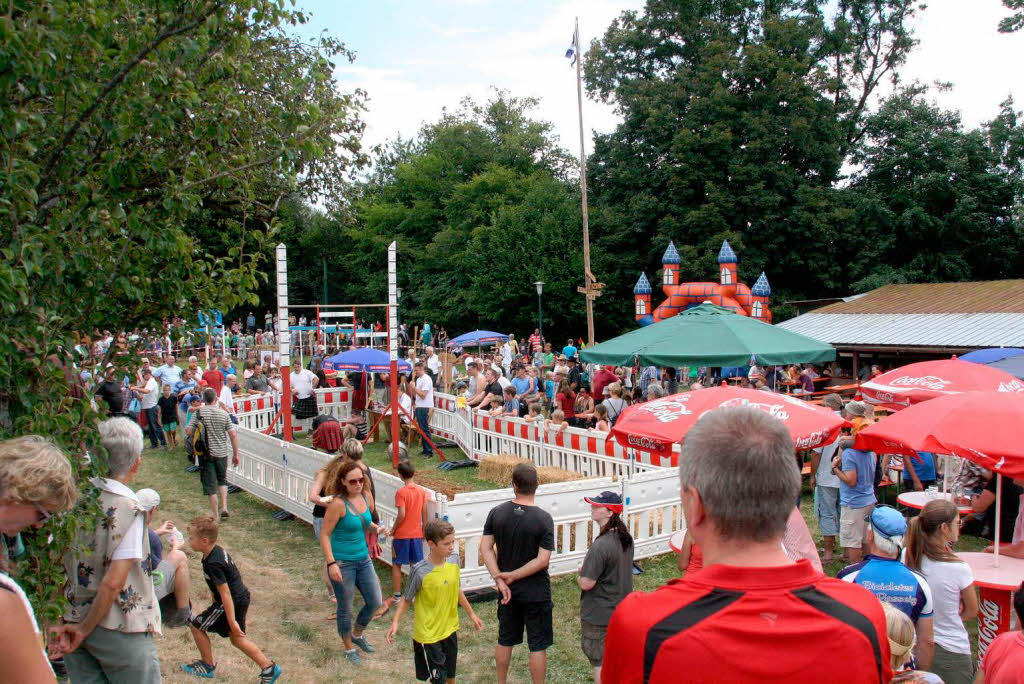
(344, 540)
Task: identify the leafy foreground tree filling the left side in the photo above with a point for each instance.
(144, 150)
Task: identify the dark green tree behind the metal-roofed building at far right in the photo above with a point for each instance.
(934, 202)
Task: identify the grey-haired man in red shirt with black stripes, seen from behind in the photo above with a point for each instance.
(751, 615)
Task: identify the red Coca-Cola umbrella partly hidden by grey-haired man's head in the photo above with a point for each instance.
(656, 426)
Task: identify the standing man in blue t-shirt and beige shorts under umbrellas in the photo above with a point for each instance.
(856, 471)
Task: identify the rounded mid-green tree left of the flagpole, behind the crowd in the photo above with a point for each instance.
(482, 206)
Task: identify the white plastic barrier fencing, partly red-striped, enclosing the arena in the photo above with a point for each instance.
(282, 474)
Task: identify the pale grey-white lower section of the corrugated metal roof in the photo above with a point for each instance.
(923, 330)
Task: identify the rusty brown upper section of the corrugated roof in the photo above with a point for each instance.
(982, 297)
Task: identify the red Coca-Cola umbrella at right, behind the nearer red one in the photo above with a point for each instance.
(928, 380)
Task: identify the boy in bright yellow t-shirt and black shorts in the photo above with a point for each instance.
(434, 587)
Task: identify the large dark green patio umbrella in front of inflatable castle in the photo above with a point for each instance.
(709, 335)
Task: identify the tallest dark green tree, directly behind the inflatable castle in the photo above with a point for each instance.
(739, 116)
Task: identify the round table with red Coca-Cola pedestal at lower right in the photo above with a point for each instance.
(996, 588)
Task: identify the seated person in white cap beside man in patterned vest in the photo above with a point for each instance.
(169, 569)
